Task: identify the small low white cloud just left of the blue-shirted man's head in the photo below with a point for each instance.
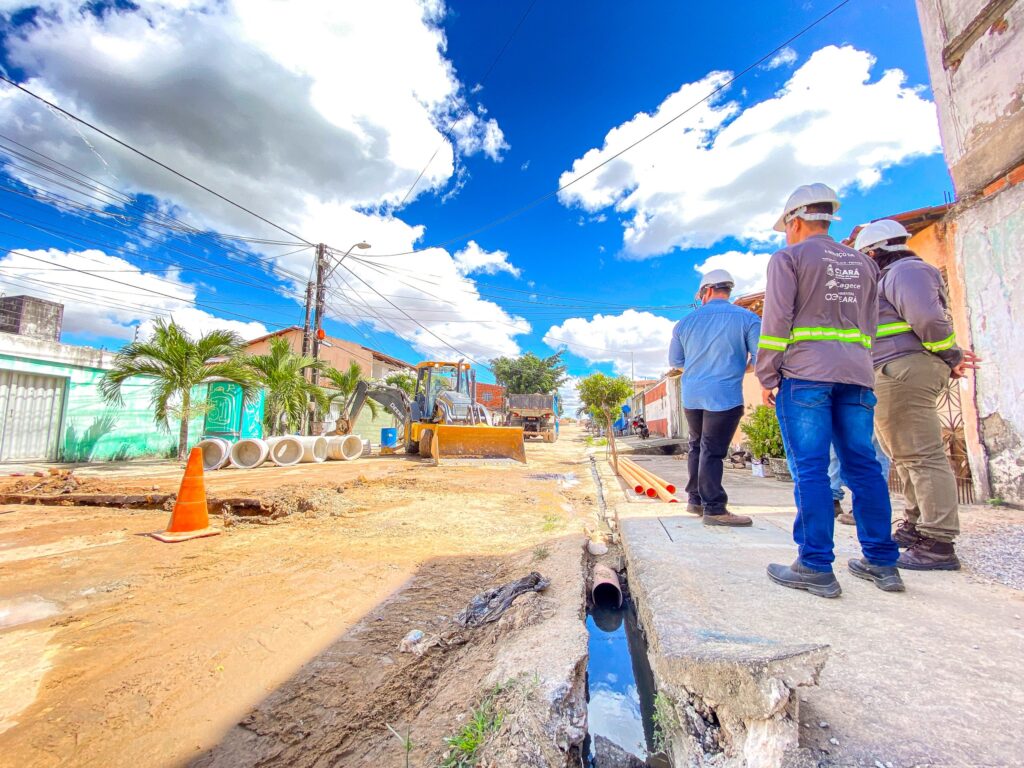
(631, 342)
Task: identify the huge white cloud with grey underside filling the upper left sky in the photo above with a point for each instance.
(319, 116)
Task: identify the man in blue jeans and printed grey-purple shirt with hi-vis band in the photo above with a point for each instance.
(821, 314)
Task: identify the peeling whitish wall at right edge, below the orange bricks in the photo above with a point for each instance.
(990, 243)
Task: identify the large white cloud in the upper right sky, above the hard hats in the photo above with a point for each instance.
(724, 172)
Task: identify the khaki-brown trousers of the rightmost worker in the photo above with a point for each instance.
(909, 429)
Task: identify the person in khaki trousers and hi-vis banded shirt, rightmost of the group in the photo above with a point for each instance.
(916, 355)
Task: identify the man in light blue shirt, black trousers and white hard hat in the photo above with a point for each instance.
(713, 347)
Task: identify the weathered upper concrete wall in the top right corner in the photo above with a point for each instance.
(975, 54)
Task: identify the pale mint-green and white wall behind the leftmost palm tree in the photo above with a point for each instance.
(93, 431)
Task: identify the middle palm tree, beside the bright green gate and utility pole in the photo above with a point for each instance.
(283, 374)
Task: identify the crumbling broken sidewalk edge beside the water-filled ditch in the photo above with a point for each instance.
(733, 699)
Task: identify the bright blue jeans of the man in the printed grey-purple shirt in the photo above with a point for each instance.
(814, 416)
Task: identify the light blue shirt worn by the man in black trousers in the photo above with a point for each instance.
(713, 347)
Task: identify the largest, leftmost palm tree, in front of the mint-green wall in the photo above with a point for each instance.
(179, 364)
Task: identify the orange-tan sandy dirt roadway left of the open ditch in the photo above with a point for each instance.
(118, 651)
